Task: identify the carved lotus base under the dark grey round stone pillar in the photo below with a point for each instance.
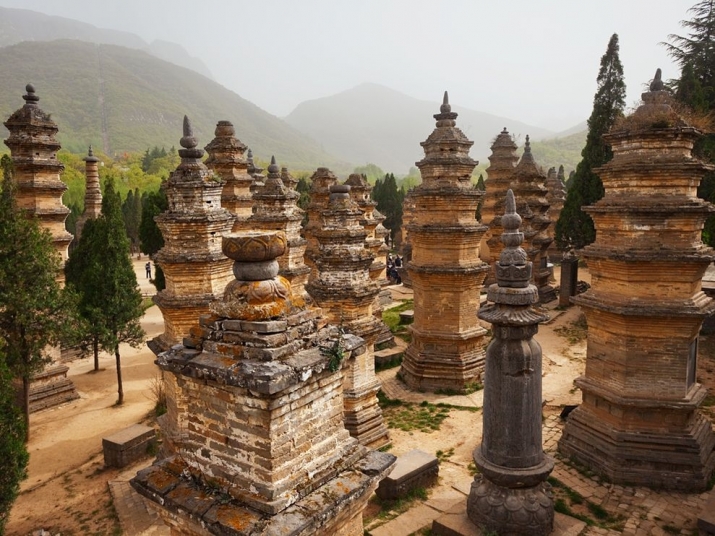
(527, 511)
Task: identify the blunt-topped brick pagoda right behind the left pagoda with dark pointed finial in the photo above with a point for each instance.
(226, 160)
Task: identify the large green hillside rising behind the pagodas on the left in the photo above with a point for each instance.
(123, 99)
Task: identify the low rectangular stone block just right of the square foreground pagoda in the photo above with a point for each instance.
(413, 470)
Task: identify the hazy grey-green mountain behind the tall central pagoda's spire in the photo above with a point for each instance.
(374, 124)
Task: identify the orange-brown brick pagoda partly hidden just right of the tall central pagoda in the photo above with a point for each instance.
(500, 177)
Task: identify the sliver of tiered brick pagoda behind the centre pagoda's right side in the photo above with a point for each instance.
(372, 220)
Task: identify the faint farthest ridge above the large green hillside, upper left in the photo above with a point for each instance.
(17, 25)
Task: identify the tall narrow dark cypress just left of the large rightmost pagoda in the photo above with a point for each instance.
(575, 228)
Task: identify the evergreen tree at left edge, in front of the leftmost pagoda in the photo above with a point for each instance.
(36, 314)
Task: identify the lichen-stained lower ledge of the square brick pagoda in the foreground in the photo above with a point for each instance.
(191, 507)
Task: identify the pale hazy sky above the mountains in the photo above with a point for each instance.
(530, 60)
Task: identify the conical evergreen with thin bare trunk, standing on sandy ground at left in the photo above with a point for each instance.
(107, 283)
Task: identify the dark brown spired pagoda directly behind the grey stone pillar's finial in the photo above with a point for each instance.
(530, 189)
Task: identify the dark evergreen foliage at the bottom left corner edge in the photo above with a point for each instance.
(13, 454)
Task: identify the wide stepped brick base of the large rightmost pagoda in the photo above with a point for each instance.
(645, 447)
